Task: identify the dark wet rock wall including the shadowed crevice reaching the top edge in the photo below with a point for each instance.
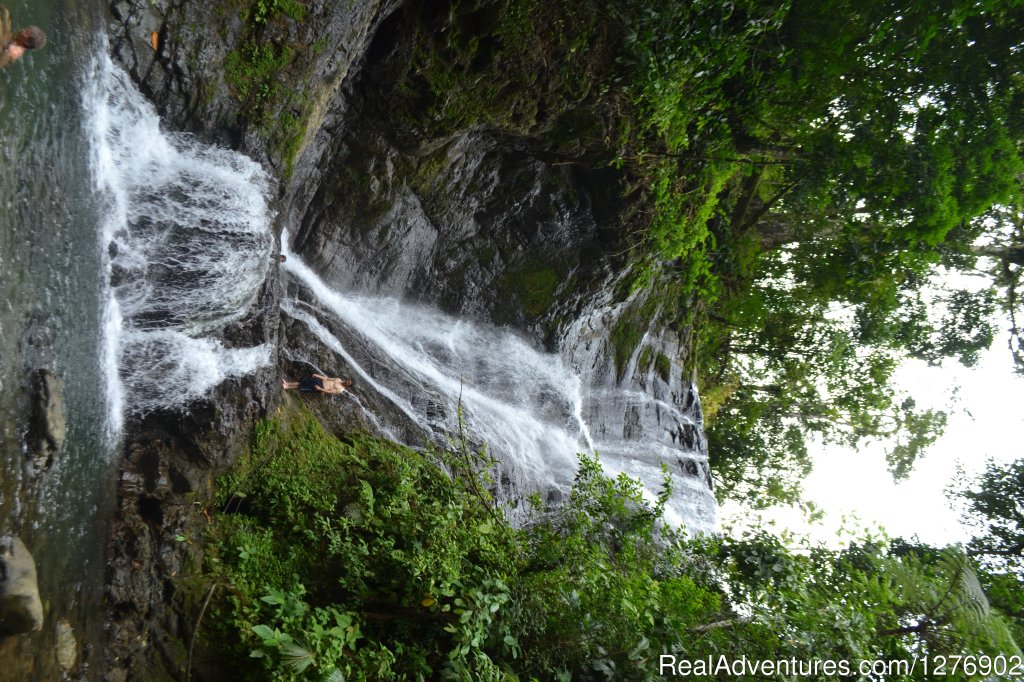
(494, 223)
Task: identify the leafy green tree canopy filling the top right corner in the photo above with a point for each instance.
(813, 165)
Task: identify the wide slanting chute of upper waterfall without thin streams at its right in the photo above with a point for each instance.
(525, 407)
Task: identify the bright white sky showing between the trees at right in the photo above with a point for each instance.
(986, 421)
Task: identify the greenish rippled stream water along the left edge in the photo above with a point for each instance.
(53, 282)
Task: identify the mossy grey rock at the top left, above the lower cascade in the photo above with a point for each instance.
(199, 47)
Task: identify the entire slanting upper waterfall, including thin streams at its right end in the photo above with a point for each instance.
(526, 405)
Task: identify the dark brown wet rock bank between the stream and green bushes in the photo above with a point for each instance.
(169, 462)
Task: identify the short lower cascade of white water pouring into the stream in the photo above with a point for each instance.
(187, 240)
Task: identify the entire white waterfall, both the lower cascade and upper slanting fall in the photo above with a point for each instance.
(187, 245)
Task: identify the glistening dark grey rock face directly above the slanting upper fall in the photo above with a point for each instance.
(481, 224)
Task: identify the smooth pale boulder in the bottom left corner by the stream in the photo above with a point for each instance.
(21, 609)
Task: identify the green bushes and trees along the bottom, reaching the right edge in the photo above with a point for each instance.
(357, 559)
